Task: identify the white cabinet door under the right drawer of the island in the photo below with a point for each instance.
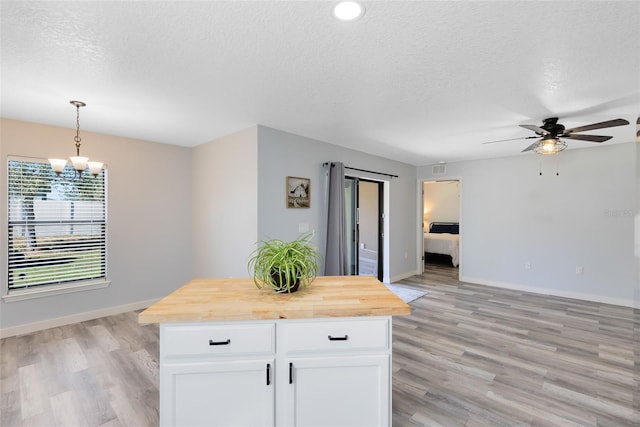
(337, 391)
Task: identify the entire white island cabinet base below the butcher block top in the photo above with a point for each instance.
(286, 372)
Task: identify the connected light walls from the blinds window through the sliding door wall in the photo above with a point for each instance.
(175, 213)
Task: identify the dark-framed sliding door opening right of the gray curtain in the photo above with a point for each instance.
(365, 231)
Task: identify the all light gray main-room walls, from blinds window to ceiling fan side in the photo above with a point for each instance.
(175, 213)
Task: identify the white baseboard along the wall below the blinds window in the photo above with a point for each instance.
(74, 318)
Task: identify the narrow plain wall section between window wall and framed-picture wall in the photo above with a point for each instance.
(225, 204)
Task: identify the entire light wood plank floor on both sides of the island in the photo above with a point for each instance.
(468, 355)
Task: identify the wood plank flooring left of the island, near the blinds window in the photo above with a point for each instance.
(101, 372)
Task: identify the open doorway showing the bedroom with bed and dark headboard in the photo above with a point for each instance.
(440, 224)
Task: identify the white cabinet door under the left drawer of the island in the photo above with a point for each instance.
(225, 393)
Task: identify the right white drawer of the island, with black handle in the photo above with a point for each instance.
(338, 335)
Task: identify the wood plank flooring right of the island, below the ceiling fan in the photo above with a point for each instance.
(473, 355)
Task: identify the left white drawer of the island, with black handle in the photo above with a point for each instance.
(222, 339)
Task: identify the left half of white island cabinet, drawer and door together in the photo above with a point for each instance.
(217, 374)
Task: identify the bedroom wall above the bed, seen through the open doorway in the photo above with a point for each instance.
(441, 201)
